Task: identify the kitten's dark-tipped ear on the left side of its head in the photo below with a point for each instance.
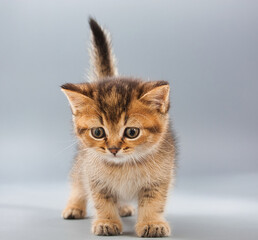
(78, 101)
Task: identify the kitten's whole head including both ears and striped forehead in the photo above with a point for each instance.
(119, 119)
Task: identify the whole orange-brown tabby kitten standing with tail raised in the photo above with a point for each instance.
(126, 148)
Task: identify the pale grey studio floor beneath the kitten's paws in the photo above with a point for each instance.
(205, 209)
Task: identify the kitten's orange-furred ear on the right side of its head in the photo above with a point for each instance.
(157, 98)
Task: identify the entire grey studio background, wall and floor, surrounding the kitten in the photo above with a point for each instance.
(207, 50)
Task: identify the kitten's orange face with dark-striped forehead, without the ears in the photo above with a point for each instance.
(117, 125)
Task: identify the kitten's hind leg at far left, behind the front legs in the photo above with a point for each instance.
(76, 206)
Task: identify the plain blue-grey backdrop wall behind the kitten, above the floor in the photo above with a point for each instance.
(207, 50)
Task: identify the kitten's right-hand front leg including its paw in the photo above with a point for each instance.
(150, 222)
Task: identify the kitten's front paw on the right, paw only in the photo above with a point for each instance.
(152, 229)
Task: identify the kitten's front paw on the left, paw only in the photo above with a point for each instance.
(106, 227)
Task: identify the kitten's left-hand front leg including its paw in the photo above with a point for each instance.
(107, 220)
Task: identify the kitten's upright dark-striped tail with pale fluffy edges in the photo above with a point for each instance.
(102, 60)
